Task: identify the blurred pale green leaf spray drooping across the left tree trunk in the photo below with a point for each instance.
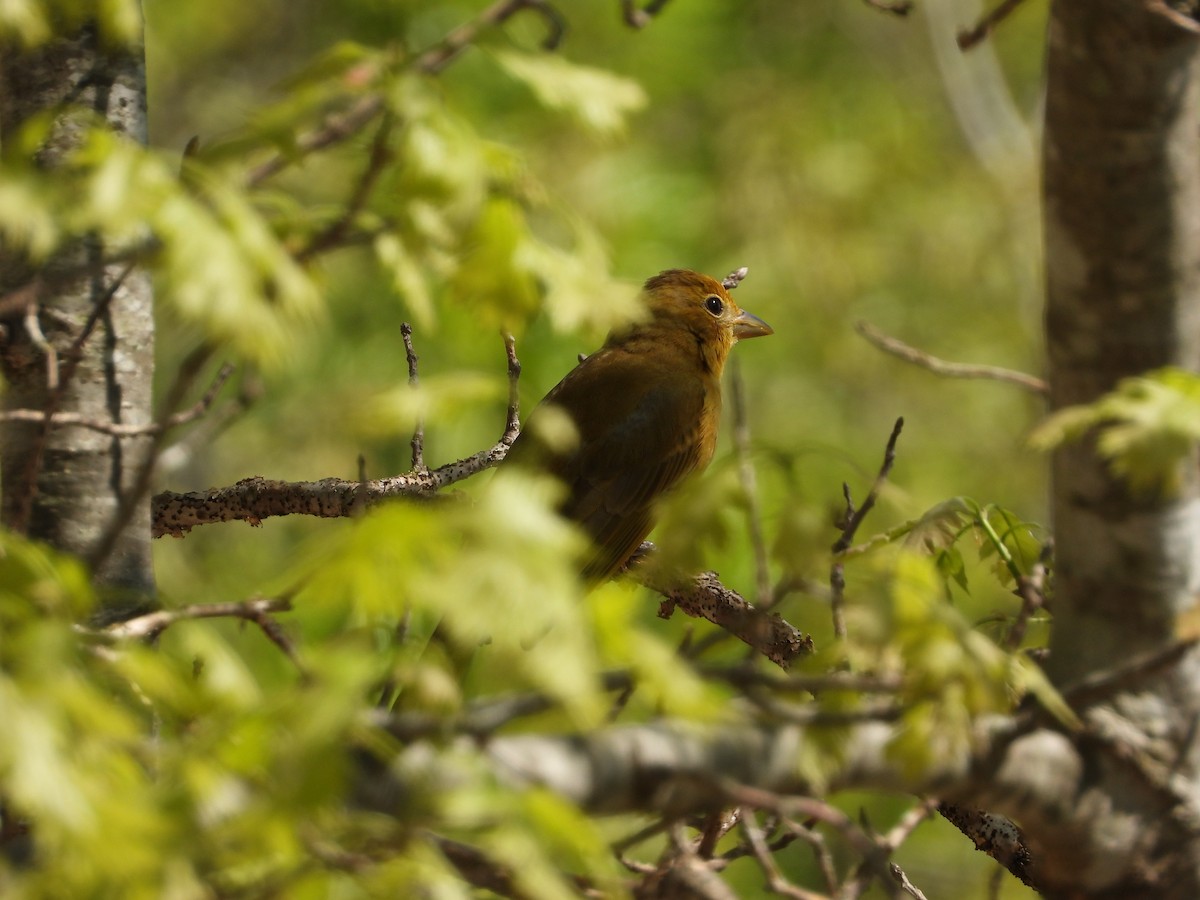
(218, 262)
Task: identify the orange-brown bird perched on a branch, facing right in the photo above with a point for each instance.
(646, 410)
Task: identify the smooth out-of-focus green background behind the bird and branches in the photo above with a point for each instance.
(857, 163)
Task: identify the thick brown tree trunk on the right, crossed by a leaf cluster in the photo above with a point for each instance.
(1123, 256)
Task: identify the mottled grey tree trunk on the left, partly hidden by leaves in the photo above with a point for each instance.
(75, 345)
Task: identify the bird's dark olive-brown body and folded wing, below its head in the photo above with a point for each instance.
(641, 431)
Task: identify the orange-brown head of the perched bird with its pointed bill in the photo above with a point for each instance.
(692, 304)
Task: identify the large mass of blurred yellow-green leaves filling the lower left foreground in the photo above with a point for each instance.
(242, 782)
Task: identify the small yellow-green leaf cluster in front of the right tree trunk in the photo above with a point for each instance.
(1147, 429)
